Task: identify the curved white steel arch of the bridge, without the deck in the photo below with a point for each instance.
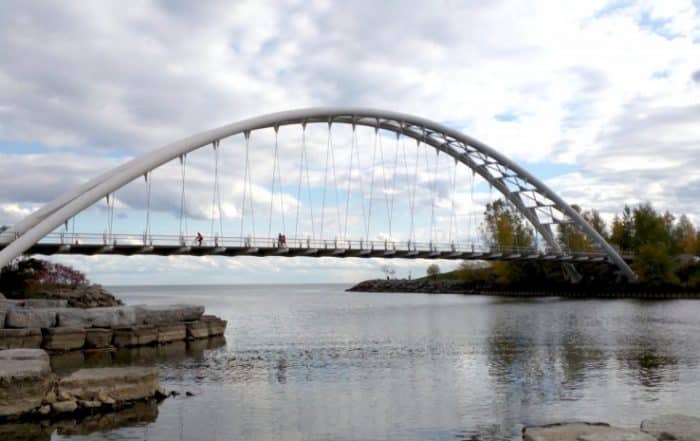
(538, 203)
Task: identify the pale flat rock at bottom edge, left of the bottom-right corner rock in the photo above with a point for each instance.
(580, 431)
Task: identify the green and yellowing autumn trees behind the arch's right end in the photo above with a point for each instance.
(664, 249)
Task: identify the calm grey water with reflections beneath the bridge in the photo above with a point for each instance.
(315, 363)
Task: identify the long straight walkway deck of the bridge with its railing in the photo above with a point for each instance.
(164, 245)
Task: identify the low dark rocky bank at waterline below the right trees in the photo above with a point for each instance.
(427, 285)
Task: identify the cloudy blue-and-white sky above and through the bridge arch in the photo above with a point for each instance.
(600, 99)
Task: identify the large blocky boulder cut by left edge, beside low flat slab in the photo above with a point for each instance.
(25, 379)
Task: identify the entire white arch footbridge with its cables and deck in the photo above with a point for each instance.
(418, 183)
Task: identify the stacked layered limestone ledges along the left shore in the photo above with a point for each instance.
(35, 334)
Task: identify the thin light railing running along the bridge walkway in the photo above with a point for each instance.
(301, 243)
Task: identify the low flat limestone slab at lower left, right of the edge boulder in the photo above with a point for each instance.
(120, 384)
